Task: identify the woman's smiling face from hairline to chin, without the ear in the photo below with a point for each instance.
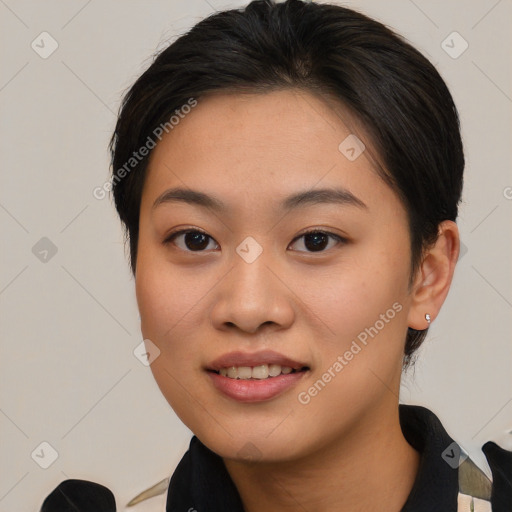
(254, 292)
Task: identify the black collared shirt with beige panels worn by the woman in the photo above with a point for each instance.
(201, 481)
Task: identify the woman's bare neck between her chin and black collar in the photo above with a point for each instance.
(368, 468)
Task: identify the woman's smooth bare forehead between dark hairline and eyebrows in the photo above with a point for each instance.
(255, 146)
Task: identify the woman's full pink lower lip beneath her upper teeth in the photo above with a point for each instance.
(255, 390)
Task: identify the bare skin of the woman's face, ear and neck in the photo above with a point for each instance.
(344, 449)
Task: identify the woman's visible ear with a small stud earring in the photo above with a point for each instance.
(434, 276)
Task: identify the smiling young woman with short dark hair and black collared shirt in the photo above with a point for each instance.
(289, 177)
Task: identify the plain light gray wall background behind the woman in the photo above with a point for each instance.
(70, 324)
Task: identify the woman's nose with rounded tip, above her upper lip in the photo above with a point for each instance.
(253, 297)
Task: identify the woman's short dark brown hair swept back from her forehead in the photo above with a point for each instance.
(398, 96)
